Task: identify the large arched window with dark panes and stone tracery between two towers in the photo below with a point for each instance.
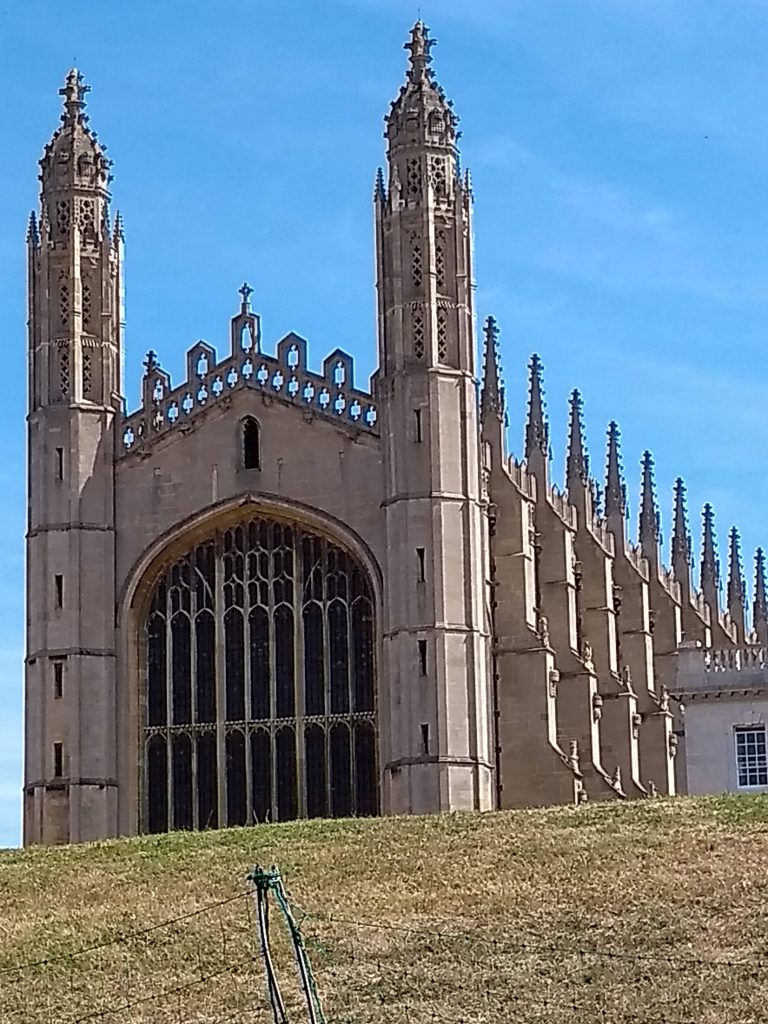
(260, 684)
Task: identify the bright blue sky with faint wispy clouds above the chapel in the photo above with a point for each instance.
(619, 151)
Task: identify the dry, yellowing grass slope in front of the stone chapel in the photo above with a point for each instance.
(654, 912)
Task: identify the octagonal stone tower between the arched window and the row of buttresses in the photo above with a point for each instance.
(436, 648)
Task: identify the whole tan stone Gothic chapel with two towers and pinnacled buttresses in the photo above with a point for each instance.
(223, 630)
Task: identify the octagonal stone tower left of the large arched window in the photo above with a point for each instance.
(74, 397)
